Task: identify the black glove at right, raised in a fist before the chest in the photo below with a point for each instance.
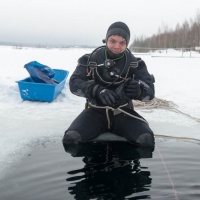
(132, 89)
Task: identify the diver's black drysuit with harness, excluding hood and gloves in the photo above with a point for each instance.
(90, 76)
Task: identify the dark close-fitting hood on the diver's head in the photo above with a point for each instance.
(119, 28)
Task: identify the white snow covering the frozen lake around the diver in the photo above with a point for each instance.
(25, 122)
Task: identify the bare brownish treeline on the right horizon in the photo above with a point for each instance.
(186, 35)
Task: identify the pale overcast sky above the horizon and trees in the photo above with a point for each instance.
(85, 22)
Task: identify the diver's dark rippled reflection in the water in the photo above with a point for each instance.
(111, 171)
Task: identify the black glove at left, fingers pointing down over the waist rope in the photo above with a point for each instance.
(107, 97)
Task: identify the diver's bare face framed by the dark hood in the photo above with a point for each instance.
(116, 44)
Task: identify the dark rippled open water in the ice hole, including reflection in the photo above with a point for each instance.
(107, 171)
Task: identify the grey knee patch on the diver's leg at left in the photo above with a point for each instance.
(72, 137)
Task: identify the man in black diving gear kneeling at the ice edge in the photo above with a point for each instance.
(110, 78)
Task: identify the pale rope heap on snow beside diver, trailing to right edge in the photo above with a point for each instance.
(160, 103)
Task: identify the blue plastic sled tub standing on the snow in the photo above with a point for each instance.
(32, 91)
